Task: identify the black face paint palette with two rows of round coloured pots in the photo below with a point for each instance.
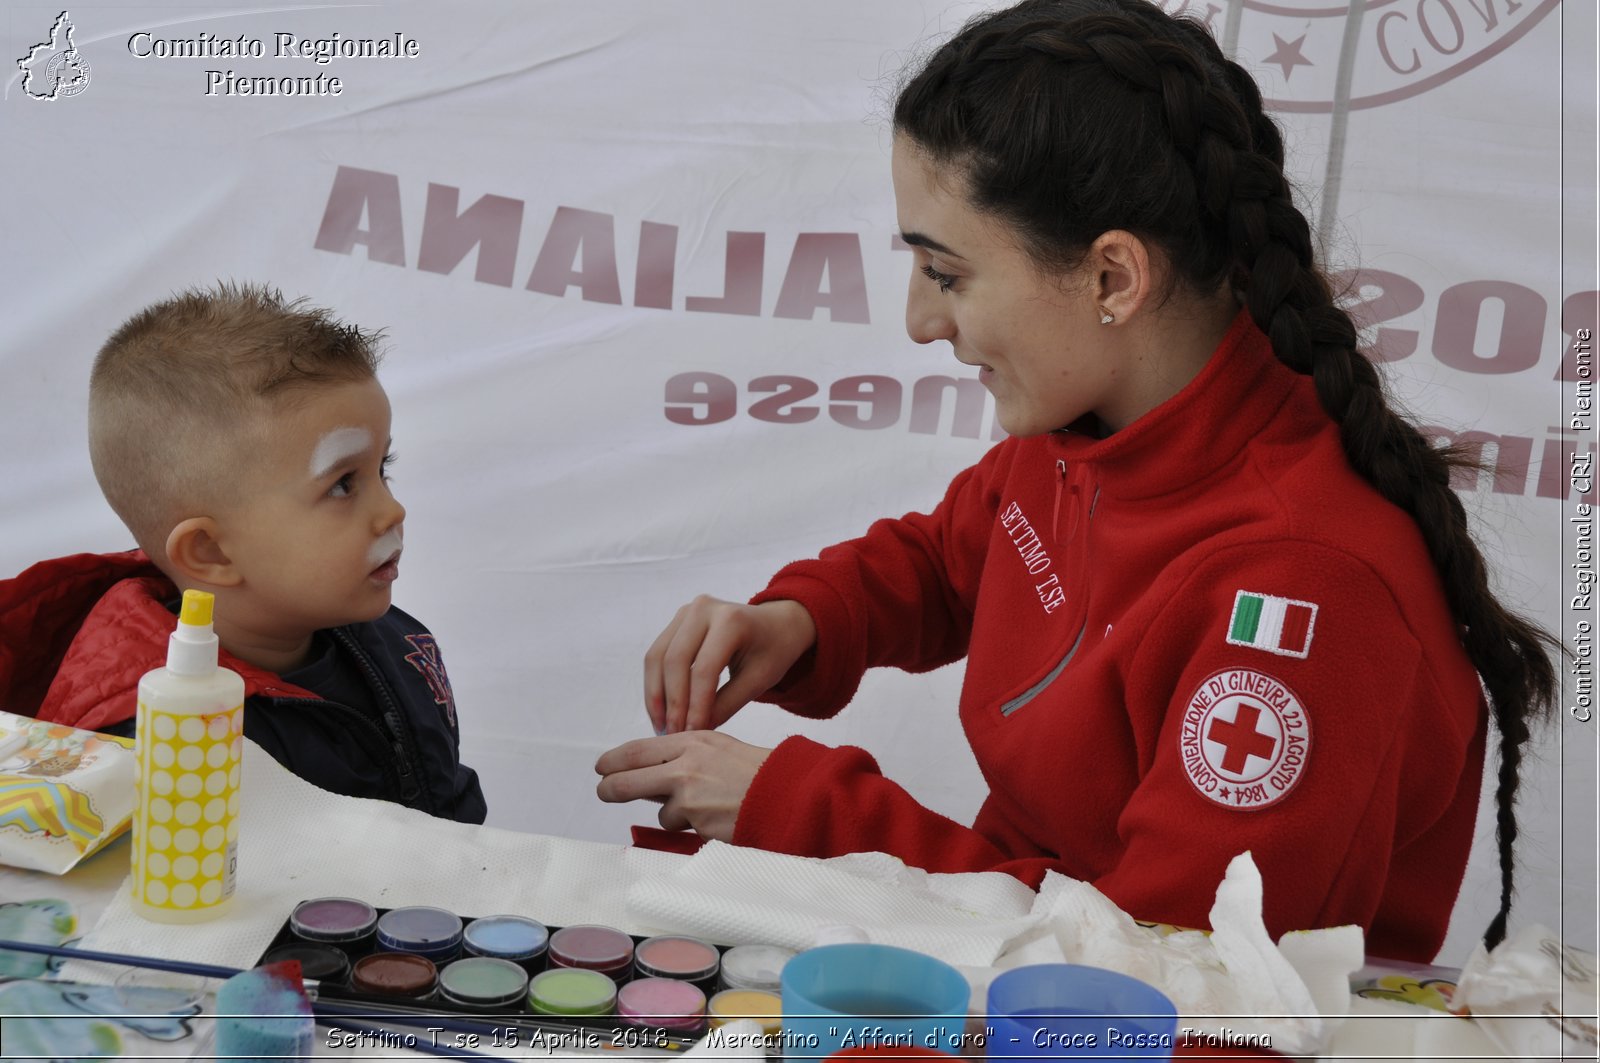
(590, 985)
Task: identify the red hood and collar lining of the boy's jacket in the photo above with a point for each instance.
(78, 633)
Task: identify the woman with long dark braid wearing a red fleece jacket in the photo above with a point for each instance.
(1214, 593)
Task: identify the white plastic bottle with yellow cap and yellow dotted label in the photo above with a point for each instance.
(190, 739)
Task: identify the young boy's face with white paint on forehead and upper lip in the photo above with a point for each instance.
(316, 536)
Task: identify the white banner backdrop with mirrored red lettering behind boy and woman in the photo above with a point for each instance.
(646, 316)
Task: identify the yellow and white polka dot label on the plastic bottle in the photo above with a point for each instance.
(186, 825)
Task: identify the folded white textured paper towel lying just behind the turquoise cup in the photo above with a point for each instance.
(746, 896)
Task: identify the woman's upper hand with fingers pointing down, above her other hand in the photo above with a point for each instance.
(758, 644)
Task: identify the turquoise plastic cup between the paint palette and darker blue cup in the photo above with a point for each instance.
(841, 997)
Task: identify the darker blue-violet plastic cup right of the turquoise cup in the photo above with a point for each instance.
(1063, 1011)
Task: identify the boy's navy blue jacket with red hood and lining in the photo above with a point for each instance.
(89, 627)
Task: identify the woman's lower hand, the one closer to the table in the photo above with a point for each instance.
(698, 777)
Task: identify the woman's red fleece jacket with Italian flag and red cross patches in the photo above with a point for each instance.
(1199, 636)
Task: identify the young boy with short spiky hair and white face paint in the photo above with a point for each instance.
(246, 443)
